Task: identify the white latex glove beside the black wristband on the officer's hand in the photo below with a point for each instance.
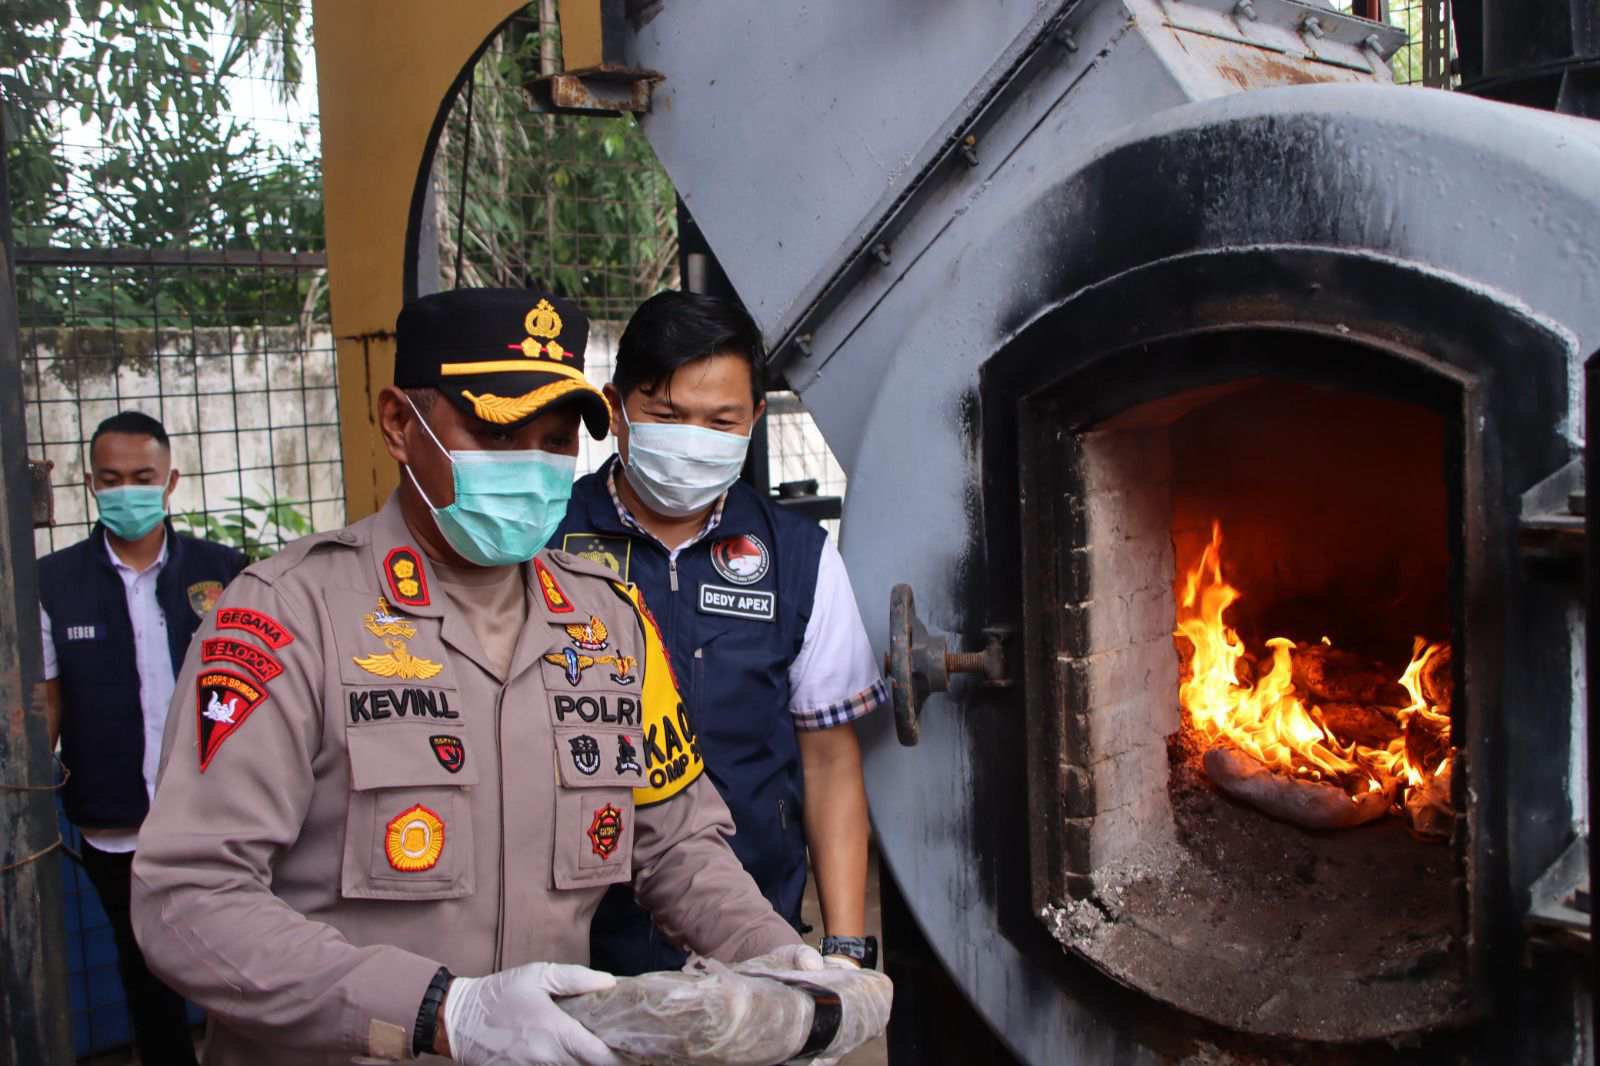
(508, 1019)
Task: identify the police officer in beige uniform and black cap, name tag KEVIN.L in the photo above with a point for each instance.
(415, 748)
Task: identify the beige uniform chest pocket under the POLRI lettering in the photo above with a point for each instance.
(598, 769)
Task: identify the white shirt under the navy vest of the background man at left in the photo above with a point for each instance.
(154, 663)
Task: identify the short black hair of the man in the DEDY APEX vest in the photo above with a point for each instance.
(674, 329)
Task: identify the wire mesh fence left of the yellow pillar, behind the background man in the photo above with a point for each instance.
(164, 174)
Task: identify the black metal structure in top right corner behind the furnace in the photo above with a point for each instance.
(1538, 54)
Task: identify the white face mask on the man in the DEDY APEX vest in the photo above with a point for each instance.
(679, 470)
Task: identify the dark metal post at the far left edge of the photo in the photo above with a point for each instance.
(34, 1006)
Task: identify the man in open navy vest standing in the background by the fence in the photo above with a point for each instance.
(118, 612)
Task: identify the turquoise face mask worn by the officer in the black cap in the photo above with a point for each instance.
(508, 503)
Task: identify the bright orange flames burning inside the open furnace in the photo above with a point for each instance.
(1268, 719)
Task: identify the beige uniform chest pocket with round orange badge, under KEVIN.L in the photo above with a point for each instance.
(409, 828)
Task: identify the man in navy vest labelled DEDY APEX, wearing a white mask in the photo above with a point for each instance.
(758, 614)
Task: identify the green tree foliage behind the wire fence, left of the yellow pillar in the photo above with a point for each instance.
(121, 134)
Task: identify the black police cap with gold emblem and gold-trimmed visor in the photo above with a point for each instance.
(503, 356)
